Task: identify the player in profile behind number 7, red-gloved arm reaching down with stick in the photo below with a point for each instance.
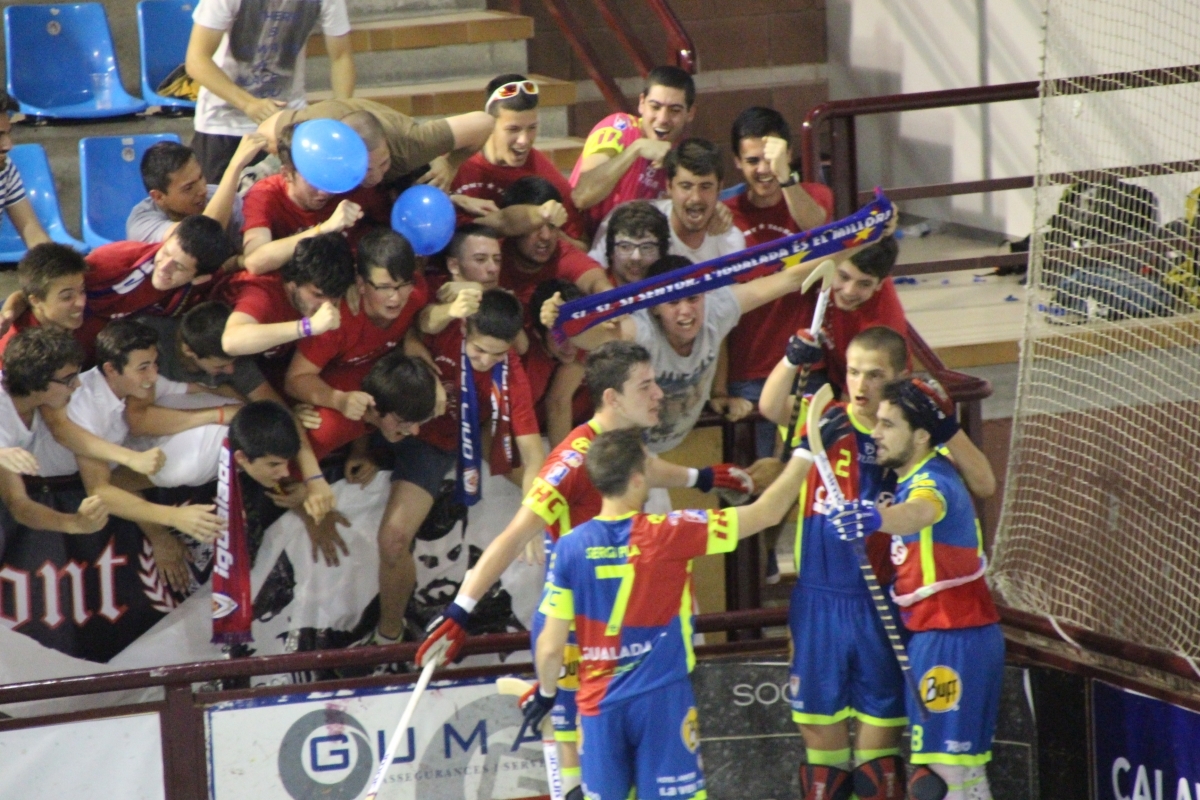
(621, 377)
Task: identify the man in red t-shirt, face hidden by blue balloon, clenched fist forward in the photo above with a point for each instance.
(285, 209)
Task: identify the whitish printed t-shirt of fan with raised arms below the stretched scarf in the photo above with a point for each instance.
(686, 380)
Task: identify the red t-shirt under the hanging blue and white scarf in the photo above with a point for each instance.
(443, 431)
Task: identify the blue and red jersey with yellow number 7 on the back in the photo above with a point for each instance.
(627, 585)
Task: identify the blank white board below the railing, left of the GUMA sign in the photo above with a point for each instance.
(93, 760)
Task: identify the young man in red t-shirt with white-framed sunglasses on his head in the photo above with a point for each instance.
(509, 154)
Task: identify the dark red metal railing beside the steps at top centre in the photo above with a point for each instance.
(681, 52)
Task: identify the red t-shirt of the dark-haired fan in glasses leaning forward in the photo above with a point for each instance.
(347, 353)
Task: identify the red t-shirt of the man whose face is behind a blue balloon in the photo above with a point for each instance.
(268, 206)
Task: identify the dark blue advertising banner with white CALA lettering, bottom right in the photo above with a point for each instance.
(1144, 749)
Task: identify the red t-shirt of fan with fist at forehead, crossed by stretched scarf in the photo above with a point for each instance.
(761, 336)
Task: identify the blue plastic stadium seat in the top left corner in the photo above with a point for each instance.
(61, 63)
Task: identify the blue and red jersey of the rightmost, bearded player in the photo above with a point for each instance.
(940, 581)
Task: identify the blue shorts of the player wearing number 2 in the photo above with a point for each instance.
(842, 663)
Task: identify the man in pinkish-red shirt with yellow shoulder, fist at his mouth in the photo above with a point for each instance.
(622, 159)
